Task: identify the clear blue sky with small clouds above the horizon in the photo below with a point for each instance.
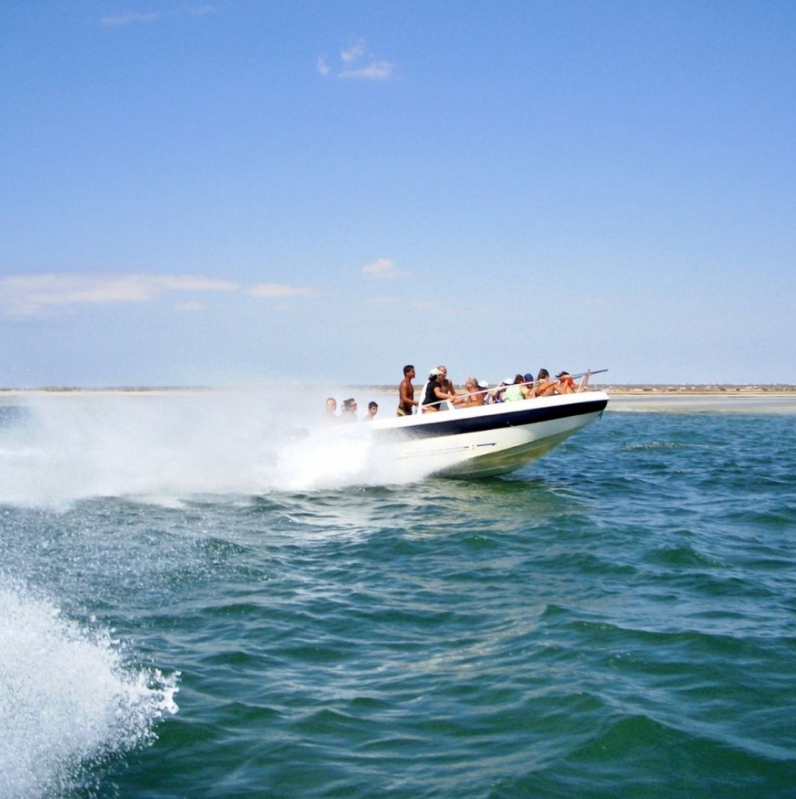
(242, 192)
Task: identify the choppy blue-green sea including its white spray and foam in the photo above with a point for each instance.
(194, 604)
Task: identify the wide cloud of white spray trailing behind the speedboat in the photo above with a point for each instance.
(164, 448)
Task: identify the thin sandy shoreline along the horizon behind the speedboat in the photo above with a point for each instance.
(629, 390)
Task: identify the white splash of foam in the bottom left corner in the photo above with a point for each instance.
(66, 697)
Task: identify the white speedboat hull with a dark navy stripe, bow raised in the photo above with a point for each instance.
(486, 440)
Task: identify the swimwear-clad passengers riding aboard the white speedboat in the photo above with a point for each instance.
(438, 393)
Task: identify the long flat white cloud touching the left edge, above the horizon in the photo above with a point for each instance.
(32, 295)
